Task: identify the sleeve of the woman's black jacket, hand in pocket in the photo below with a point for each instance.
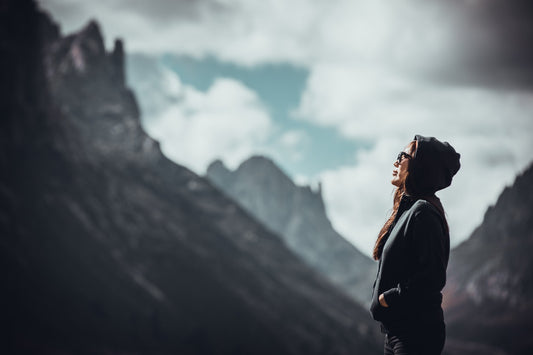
(429, 245)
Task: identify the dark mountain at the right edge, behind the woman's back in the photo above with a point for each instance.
(488, 298)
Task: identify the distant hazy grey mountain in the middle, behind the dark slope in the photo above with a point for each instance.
(298, 215)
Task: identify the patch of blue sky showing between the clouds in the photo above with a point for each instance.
(279, 87)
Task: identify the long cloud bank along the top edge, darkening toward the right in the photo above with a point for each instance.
(455, 41)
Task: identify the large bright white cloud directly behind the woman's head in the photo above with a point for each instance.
(490, 128)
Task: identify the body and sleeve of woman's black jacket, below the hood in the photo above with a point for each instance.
(412, 268)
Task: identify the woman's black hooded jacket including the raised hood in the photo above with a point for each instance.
(412, 267)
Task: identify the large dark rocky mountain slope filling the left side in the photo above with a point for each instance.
(108, 247)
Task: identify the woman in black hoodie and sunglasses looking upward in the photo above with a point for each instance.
(413, 249)
